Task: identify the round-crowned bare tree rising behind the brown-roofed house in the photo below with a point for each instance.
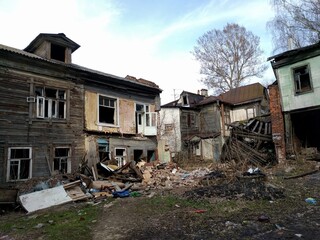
(229, 57)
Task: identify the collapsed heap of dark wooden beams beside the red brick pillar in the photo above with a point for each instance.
(250, 142)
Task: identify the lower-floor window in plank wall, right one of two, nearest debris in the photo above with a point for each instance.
(61, 161)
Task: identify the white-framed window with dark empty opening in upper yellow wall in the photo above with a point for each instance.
(107, 110)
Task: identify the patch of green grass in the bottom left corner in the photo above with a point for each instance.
(52, 224)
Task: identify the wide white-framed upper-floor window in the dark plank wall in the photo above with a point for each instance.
(51, 103)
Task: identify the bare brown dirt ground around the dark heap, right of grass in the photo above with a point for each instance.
(127, 219)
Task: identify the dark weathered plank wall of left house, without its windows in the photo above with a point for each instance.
(20, 127)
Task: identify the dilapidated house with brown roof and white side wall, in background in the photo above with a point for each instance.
(199, 125)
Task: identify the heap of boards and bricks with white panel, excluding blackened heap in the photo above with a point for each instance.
(105, 181)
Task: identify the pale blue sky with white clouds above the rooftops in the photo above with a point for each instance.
(146, 39)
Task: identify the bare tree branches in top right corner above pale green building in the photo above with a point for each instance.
(296, 23)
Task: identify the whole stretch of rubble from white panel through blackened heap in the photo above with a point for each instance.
(142, 178)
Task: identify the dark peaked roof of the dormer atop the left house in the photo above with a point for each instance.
(59, 38)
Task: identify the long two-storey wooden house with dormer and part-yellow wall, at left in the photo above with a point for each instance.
(54, 114)
